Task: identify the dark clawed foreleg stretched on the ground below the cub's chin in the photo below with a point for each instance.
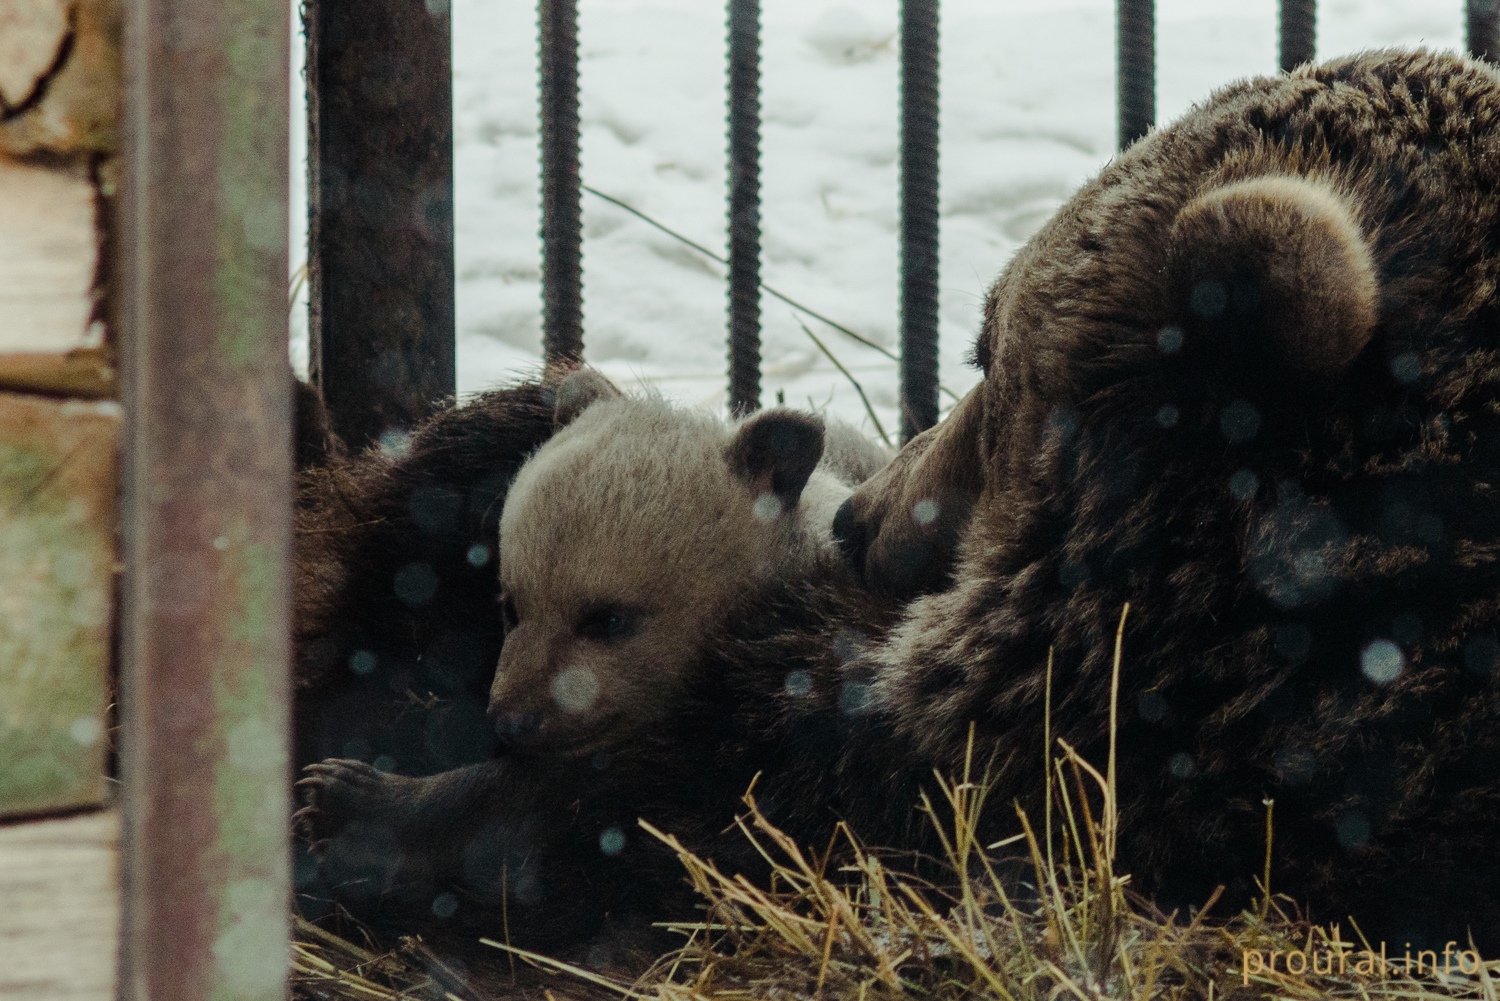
(515, 850)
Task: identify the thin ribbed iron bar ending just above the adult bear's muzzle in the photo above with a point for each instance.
(919, 217)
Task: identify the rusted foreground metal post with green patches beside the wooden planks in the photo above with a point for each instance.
(208, 500)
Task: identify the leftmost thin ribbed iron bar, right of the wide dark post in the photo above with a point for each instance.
(562, 214)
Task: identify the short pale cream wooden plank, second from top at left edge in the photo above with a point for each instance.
(49, 254)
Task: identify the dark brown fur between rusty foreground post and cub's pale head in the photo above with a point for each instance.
(397, 619)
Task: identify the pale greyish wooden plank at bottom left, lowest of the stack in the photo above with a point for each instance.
(61, 922)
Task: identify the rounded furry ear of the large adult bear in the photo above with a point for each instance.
(1280, 262)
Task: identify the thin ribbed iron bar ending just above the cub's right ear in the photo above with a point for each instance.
(745, 206)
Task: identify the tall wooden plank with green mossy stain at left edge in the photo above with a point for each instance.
(58, 487)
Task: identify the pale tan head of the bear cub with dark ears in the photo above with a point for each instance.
(625, 541)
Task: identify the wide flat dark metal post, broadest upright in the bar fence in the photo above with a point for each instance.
(380, 194)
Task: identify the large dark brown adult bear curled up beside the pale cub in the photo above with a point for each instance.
(1247, 380)
